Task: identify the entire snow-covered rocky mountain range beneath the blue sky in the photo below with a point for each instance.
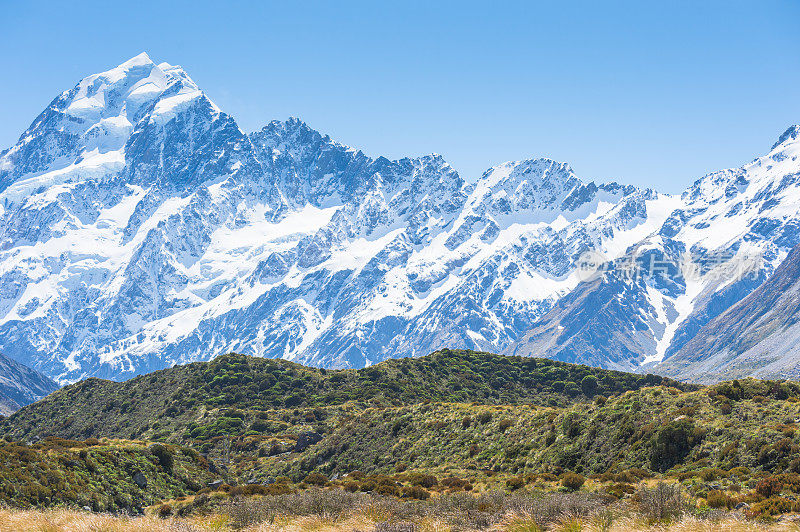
(142, 227)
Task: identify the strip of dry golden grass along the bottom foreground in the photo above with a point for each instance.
(334, 510)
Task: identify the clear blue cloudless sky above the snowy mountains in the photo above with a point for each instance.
(650, 93)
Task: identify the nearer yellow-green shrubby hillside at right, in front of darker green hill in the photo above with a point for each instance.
(658, 429)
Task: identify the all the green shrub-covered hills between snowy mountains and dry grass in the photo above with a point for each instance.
(465, 418)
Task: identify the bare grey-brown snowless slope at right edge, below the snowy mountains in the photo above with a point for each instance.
(758, 337)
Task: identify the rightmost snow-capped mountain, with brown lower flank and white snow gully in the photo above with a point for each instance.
(731, 228)
